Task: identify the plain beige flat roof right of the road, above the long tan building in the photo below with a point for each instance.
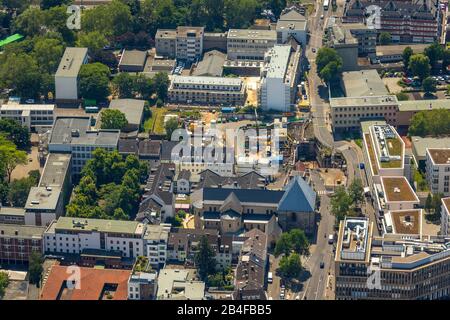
(363, 83)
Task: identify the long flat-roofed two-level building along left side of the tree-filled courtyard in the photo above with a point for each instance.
(47, 201)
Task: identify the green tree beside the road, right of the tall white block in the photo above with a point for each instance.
(329, 64)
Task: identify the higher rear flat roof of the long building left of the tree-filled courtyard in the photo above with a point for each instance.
(55, 170)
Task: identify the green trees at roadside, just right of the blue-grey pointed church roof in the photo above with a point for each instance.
(345, 202)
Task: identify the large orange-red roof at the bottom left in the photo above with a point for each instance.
(92, 283)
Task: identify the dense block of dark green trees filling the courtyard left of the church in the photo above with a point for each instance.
(109, 187)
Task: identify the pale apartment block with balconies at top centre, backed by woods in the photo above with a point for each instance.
(185, 43)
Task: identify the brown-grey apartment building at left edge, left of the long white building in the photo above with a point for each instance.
(17, 242)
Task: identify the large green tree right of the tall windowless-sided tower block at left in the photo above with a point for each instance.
(94, 81)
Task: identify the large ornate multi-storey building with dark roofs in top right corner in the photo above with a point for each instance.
(406, 21)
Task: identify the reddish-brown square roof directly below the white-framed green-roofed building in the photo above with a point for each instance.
(398, 189)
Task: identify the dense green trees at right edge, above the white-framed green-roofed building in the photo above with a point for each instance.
(430, 122)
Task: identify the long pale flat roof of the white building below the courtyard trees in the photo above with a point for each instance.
(99, 225)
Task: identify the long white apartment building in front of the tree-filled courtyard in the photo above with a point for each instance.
(69, 235)
